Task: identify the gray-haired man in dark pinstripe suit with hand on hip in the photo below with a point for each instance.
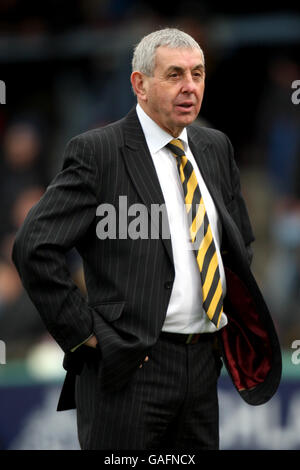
(143, 350)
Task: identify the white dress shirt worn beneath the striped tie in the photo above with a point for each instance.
(185, 313)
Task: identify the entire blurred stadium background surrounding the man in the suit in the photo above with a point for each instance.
(66, 67)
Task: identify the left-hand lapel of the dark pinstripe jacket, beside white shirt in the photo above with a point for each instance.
(142, 172)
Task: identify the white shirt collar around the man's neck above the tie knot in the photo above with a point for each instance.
(155, 136)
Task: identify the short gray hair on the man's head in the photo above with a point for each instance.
(144, 53)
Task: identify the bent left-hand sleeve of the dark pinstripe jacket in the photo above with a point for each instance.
(52, 227)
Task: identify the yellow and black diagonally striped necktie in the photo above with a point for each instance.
(201, 235)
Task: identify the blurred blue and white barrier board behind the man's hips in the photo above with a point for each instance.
(29, 420)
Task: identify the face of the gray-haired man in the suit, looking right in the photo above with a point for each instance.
(173, 96)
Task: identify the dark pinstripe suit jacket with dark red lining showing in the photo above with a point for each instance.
(128, 281)
